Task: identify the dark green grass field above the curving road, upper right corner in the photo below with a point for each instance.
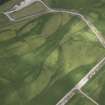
(92, 9)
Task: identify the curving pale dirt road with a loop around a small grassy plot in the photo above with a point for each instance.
(50, 10)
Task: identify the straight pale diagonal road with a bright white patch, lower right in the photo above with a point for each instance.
(82, 82)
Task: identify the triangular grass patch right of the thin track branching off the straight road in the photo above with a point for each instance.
(95, 88)
